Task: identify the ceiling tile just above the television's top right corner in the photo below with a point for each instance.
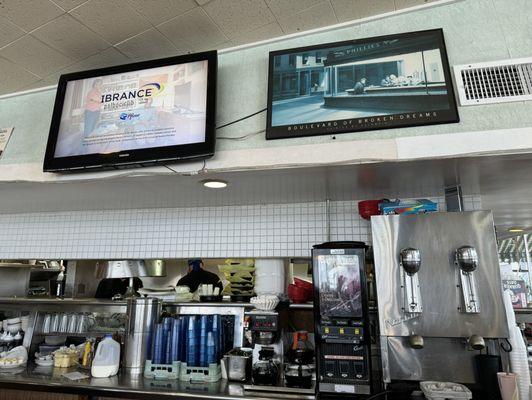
(195, 28)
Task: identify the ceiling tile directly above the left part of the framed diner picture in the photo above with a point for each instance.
(314, 17)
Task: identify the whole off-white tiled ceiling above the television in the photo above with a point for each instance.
(41, 39)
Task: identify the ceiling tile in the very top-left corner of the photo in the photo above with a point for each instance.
(29, 16)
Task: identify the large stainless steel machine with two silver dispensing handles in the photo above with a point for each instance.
(459, 282)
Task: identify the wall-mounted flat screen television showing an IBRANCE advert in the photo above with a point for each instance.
(137, 114)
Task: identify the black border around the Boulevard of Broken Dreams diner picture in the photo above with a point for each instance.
(280, 132)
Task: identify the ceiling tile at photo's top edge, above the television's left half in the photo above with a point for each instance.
(114, 20)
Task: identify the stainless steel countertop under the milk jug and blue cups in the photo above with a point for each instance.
(50, 379)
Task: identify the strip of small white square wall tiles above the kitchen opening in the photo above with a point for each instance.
(271, 230)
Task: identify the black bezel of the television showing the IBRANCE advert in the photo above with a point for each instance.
(136, 157)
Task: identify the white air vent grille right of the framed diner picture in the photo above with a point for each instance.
(494, 82)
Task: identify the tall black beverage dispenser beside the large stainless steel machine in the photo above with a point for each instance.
(341, 319)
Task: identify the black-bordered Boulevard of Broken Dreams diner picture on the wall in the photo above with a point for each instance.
(365, 84)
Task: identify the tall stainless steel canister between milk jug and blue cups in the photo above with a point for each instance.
(142, 314)
